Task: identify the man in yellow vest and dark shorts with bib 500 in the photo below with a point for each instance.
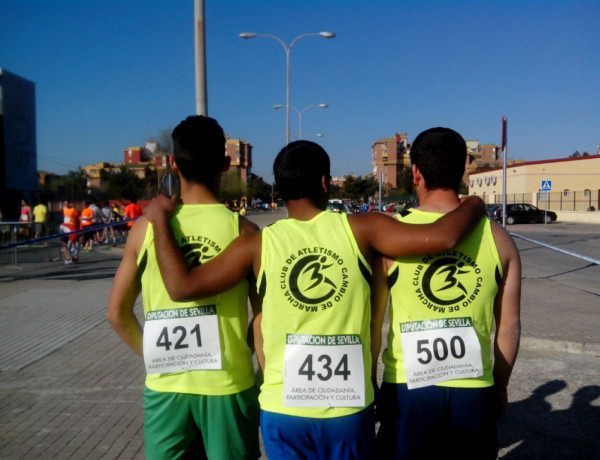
(442, 388)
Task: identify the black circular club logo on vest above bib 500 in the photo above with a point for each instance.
(447, 282)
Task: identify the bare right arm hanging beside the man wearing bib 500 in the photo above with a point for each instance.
(507, 313)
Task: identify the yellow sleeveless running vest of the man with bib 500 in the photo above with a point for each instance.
(457, 287)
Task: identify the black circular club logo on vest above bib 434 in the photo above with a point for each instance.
(312, 281)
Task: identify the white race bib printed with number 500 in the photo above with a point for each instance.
(439, 350)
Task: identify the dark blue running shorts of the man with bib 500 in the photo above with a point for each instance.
(421, 423)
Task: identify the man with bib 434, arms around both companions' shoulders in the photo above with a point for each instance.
(313, 271)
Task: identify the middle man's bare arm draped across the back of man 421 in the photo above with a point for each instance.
(217, 275)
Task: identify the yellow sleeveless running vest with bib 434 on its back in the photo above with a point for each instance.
(316, 318)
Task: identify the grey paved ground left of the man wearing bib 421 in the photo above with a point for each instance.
(68, 386)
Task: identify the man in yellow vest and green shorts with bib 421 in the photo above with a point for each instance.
(200, 399)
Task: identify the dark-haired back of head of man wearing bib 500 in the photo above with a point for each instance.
(440, 155)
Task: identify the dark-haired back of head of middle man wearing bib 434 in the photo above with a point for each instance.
(298, 169)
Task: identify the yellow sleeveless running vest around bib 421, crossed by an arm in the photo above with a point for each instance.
(202, 232)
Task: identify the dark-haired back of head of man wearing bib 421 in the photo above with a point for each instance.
(199, 149)
